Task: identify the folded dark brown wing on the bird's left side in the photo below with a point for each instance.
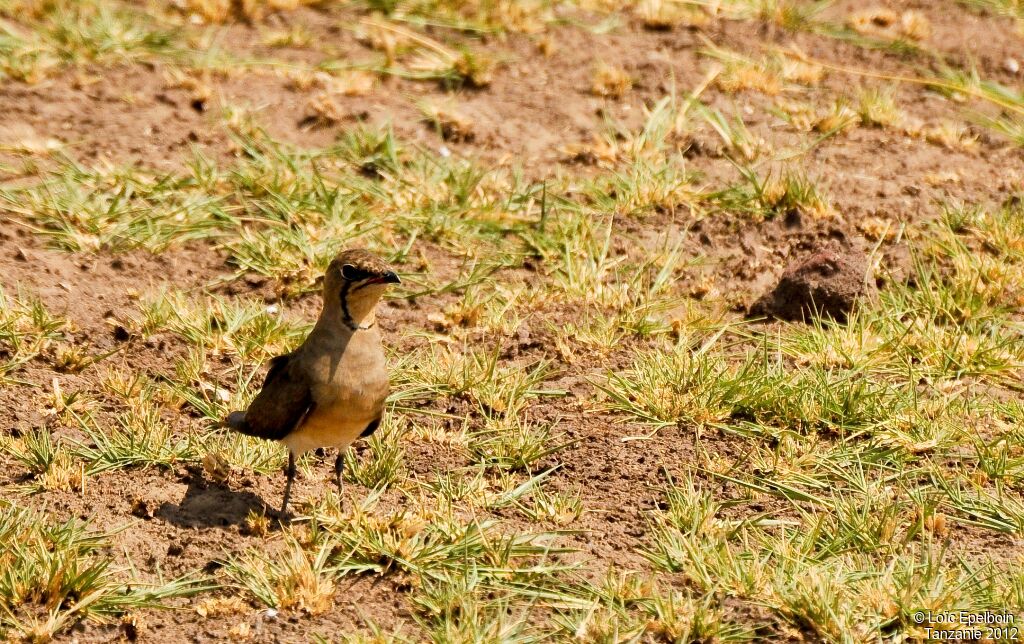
(283, 403)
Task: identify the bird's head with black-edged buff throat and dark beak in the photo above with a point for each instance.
(354, 284)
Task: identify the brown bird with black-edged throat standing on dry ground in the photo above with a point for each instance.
(330, 392)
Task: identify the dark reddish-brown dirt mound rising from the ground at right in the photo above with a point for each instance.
(827, 283)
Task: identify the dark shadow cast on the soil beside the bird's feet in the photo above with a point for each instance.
(209, 504)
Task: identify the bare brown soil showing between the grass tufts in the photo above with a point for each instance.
(177, 521)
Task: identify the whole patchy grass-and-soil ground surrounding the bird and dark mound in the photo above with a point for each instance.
(567, 348)
